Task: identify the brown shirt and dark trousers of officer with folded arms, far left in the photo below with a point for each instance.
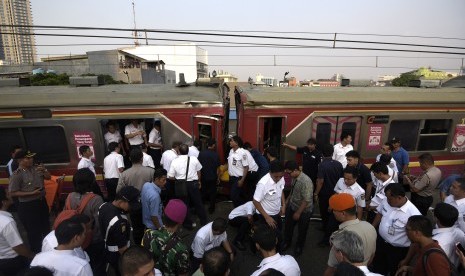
(32, 210)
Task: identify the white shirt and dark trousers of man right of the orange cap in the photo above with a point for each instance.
(392, 244)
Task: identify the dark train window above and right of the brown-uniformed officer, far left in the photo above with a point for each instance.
(48, 142)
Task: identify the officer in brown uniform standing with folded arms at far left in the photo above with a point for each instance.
(27, 183)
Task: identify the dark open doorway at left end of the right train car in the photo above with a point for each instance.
(270, 132)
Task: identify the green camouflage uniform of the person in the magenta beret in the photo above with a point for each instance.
(175, 260)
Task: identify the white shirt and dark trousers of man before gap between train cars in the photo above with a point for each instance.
(237, 160)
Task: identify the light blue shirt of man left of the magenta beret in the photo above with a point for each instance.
(151, 204)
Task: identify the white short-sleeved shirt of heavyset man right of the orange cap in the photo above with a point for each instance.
(394, 221)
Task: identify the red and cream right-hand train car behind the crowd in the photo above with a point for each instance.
(426, 120)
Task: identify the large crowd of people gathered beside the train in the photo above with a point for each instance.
(370, 224)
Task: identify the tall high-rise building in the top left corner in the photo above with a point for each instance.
(17, 44)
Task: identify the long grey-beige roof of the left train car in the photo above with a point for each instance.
(130, 94)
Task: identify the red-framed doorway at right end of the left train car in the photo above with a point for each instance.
(204, 128)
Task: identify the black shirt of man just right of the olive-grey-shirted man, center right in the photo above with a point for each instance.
(330, 171)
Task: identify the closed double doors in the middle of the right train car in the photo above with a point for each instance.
(328, 129)
